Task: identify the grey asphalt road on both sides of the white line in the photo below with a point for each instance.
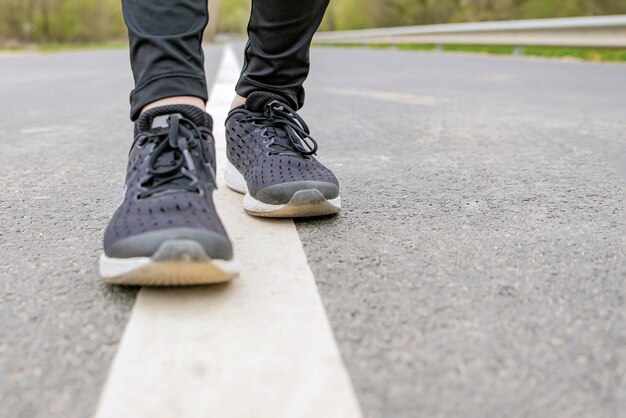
(478, 268)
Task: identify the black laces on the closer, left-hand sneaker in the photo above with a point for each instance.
(170, 165)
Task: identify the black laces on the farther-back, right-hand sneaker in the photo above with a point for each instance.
(286, 130)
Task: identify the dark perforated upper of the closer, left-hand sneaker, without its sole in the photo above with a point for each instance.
(170, 180)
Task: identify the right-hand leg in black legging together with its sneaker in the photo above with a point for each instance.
(271, 153)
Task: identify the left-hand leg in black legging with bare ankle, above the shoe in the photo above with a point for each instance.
(166, 52)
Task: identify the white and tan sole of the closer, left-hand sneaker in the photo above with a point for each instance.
(176, 263)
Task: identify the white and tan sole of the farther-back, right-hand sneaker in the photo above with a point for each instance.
(304, 203)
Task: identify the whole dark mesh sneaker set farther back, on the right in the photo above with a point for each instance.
(271, 159)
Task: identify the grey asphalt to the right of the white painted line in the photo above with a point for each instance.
(478, 267)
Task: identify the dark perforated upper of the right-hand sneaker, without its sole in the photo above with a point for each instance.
(270, 144)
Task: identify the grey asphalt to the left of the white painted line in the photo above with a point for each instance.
(64, 139)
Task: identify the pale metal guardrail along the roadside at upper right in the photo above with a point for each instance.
(596, 31)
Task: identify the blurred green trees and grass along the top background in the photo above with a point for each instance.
(101, 20)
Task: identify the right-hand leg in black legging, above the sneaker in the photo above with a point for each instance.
(277, 53)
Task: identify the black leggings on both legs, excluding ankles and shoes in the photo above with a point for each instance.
(167, 59)
